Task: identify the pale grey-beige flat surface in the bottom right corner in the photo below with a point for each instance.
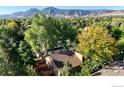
(114, 69)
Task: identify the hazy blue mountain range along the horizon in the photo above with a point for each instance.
(52, 11)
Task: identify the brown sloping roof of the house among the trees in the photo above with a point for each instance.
(61, 58)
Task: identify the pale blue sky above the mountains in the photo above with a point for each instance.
(12, 9)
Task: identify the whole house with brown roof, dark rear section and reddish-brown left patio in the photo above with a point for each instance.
(54, 60)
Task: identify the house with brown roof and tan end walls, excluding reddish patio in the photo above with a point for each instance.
(56, 61)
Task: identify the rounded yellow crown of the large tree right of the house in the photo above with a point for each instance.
(96, 44)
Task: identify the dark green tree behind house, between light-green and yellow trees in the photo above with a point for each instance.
(68, 32)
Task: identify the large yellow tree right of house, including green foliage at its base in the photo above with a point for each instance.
(97, 48)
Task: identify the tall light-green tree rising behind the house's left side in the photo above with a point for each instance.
(42, 34)
